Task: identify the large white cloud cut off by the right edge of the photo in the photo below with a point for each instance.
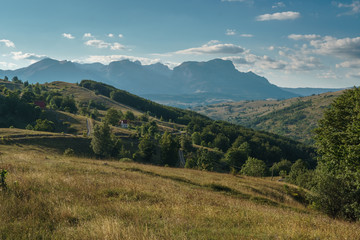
(345, 47)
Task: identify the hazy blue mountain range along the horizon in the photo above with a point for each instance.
(190, 83)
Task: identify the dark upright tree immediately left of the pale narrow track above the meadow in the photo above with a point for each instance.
(169, 150)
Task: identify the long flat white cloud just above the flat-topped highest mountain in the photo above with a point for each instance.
(213, 47)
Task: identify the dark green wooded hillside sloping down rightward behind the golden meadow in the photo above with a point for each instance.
(155, 133)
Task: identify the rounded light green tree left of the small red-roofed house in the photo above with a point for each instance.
(102, 142)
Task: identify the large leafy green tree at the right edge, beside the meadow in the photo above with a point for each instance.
(338, 142)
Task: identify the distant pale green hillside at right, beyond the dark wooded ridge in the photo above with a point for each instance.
(275, 116)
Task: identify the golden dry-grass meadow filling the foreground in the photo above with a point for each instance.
(52, 196)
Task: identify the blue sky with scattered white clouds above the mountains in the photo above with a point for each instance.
(292, 43)
